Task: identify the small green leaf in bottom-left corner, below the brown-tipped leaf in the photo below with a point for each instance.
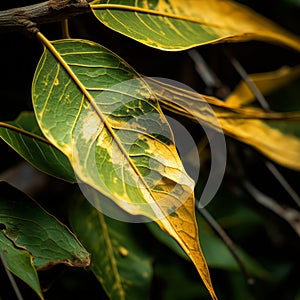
(20, 263)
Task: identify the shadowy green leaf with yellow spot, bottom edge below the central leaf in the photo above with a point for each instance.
(118, 259)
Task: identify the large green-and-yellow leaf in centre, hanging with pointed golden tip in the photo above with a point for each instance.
(89, 104)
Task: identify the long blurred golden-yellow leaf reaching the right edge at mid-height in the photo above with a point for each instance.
(276, 135)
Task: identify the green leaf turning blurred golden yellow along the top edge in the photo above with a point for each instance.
(178, 25)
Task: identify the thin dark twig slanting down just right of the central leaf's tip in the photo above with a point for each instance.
(227, 240)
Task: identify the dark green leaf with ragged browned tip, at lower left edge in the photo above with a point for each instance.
(31, 227)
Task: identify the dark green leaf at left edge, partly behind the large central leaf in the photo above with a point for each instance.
(25, 137)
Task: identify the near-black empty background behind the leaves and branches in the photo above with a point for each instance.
(271, 240)
